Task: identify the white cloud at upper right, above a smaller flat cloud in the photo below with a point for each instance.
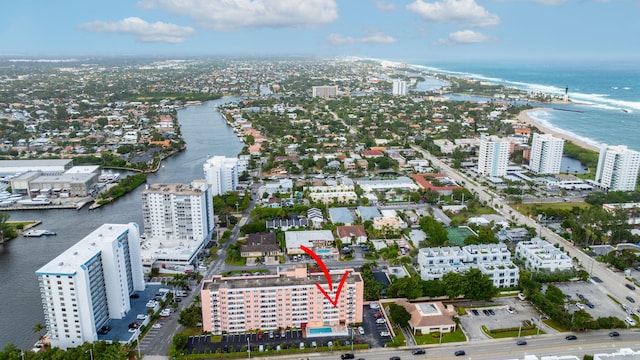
(461, 12)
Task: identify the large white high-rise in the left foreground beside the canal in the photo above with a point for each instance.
(90, 283)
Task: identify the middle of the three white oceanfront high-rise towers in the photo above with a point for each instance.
(546, 154)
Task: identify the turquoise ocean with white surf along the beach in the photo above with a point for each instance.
(605, 95)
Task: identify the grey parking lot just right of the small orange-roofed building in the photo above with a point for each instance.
(496, 316)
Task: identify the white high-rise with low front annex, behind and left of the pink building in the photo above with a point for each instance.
(178, 223)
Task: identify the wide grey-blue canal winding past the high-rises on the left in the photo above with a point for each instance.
(206, 134)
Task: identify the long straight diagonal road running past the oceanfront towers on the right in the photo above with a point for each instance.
(612, 282)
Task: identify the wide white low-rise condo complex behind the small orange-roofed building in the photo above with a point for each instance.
(493, 260)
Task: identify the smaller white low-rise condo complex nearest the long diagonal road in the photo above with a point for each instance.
(539, 254)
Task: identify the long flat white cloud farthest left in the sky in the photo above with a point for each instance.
(144, 31)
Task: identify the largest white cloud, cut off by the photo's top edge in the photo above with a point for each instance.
(235, 14)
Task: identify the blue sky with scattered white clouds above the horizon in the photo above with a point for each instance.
(410, 30)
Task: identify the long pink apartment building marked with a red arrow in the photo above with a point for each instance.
(288, 299)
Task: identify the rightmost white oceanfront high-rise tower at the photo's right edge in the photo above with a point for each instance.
(617, 168)
